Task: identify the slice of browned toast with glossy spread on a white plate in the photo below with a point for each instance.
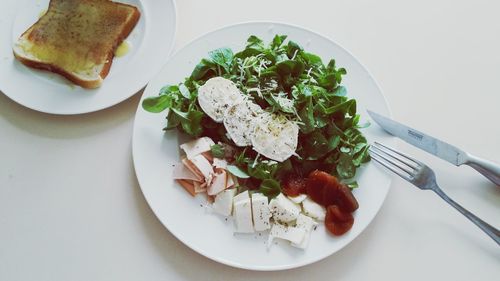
(77, 39)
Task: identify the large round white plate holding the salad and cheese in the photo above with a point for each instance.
(189, 219)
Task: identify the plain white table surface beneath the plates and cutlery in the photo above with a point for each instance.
(71, 207)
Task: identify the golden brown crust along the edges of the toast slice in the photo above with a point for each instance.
(107, 59)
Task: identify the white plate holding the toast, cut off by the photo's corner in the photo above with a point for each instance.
(151, 43)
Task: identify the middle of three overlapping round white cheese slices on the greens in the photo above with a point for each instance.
(240, 120)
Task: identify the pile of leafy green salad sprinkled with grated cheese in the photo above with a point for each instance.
(282, 78)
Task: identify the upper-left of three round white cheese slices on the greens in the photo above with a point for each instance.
(216, 96)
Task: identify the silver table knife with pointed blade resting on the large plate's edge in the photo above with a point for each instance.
(437, 147)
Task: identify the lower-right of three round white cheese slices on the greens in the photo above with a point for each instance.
(275, 137)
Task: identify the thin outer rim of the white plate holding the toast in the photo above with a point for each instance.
(134, 90)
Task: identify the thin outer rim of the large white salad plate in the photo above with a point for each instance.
(222, 260)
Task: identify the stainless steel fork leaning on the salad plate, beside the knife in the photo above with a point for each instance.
(424, 178)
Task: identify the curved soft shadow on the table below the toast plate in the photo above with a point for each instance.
(67, 126)
